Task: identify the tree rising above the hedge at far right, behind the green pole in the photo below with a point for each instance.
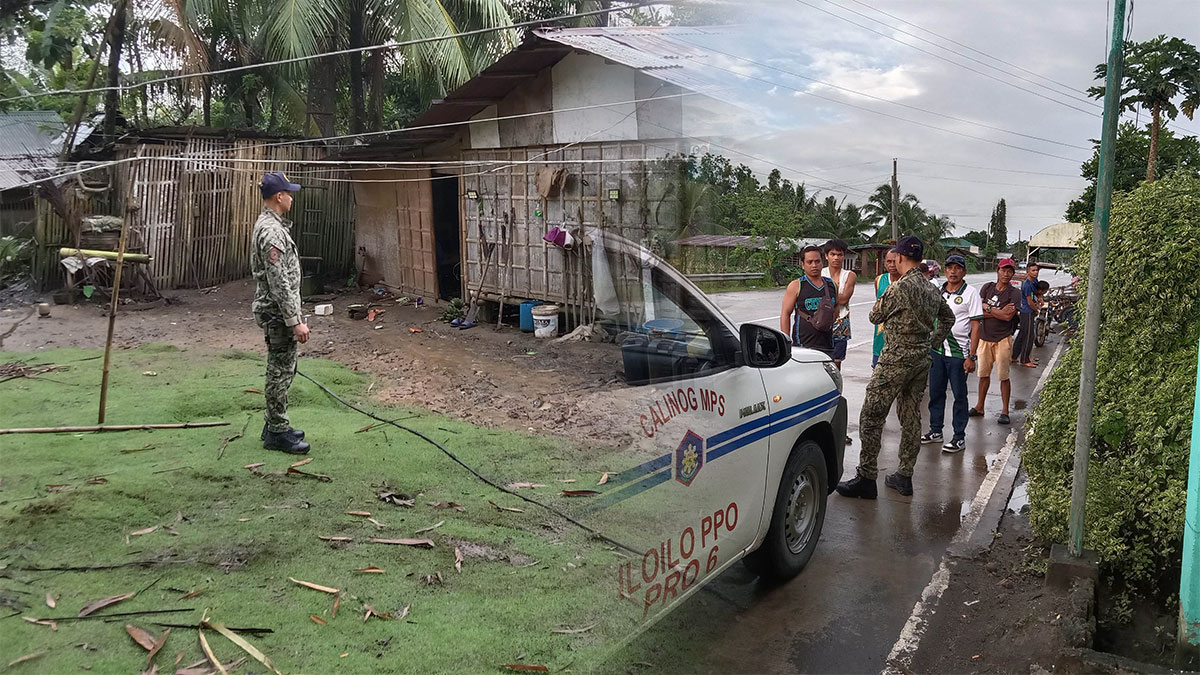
(1156, 74)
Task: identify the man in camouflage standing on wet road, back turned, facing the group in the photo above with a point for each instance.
(915, 318)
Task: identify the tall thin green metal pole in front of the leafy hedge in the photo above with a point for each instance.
(1096, 279)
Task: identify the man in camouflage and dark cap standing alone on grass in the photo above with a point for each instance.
(277, 267)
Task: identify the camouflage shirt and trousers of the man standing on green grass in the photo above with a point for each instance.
(277, 268)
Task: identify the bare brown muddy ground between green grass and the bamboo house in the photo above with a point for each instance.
(487, 377)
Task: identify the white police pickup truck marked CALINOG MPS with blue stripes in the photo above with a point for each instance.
(739, 437)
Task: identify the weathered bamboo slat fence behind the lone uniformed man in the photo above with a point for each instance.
(196, 217)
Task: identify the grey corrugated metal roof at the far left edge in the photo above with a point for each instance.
(31, 142)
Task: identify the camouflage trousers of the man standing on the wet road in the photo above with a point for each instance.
(901, 377)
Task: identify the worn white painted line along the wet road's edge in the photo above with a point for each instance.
(905, 648)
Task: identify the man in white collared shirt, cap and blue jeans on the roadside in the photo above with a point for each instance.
(955, 359)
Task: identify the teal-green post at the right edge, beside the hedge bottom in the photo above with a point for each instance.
(1190, 580)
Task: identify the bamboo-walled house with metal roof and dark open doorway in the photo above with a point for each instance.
(575, 129)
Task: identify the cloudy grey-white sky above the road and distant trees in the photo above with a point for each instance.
(1023, 136)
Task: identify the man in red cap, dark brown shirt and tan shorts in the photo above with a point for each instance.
(1000, 300)
